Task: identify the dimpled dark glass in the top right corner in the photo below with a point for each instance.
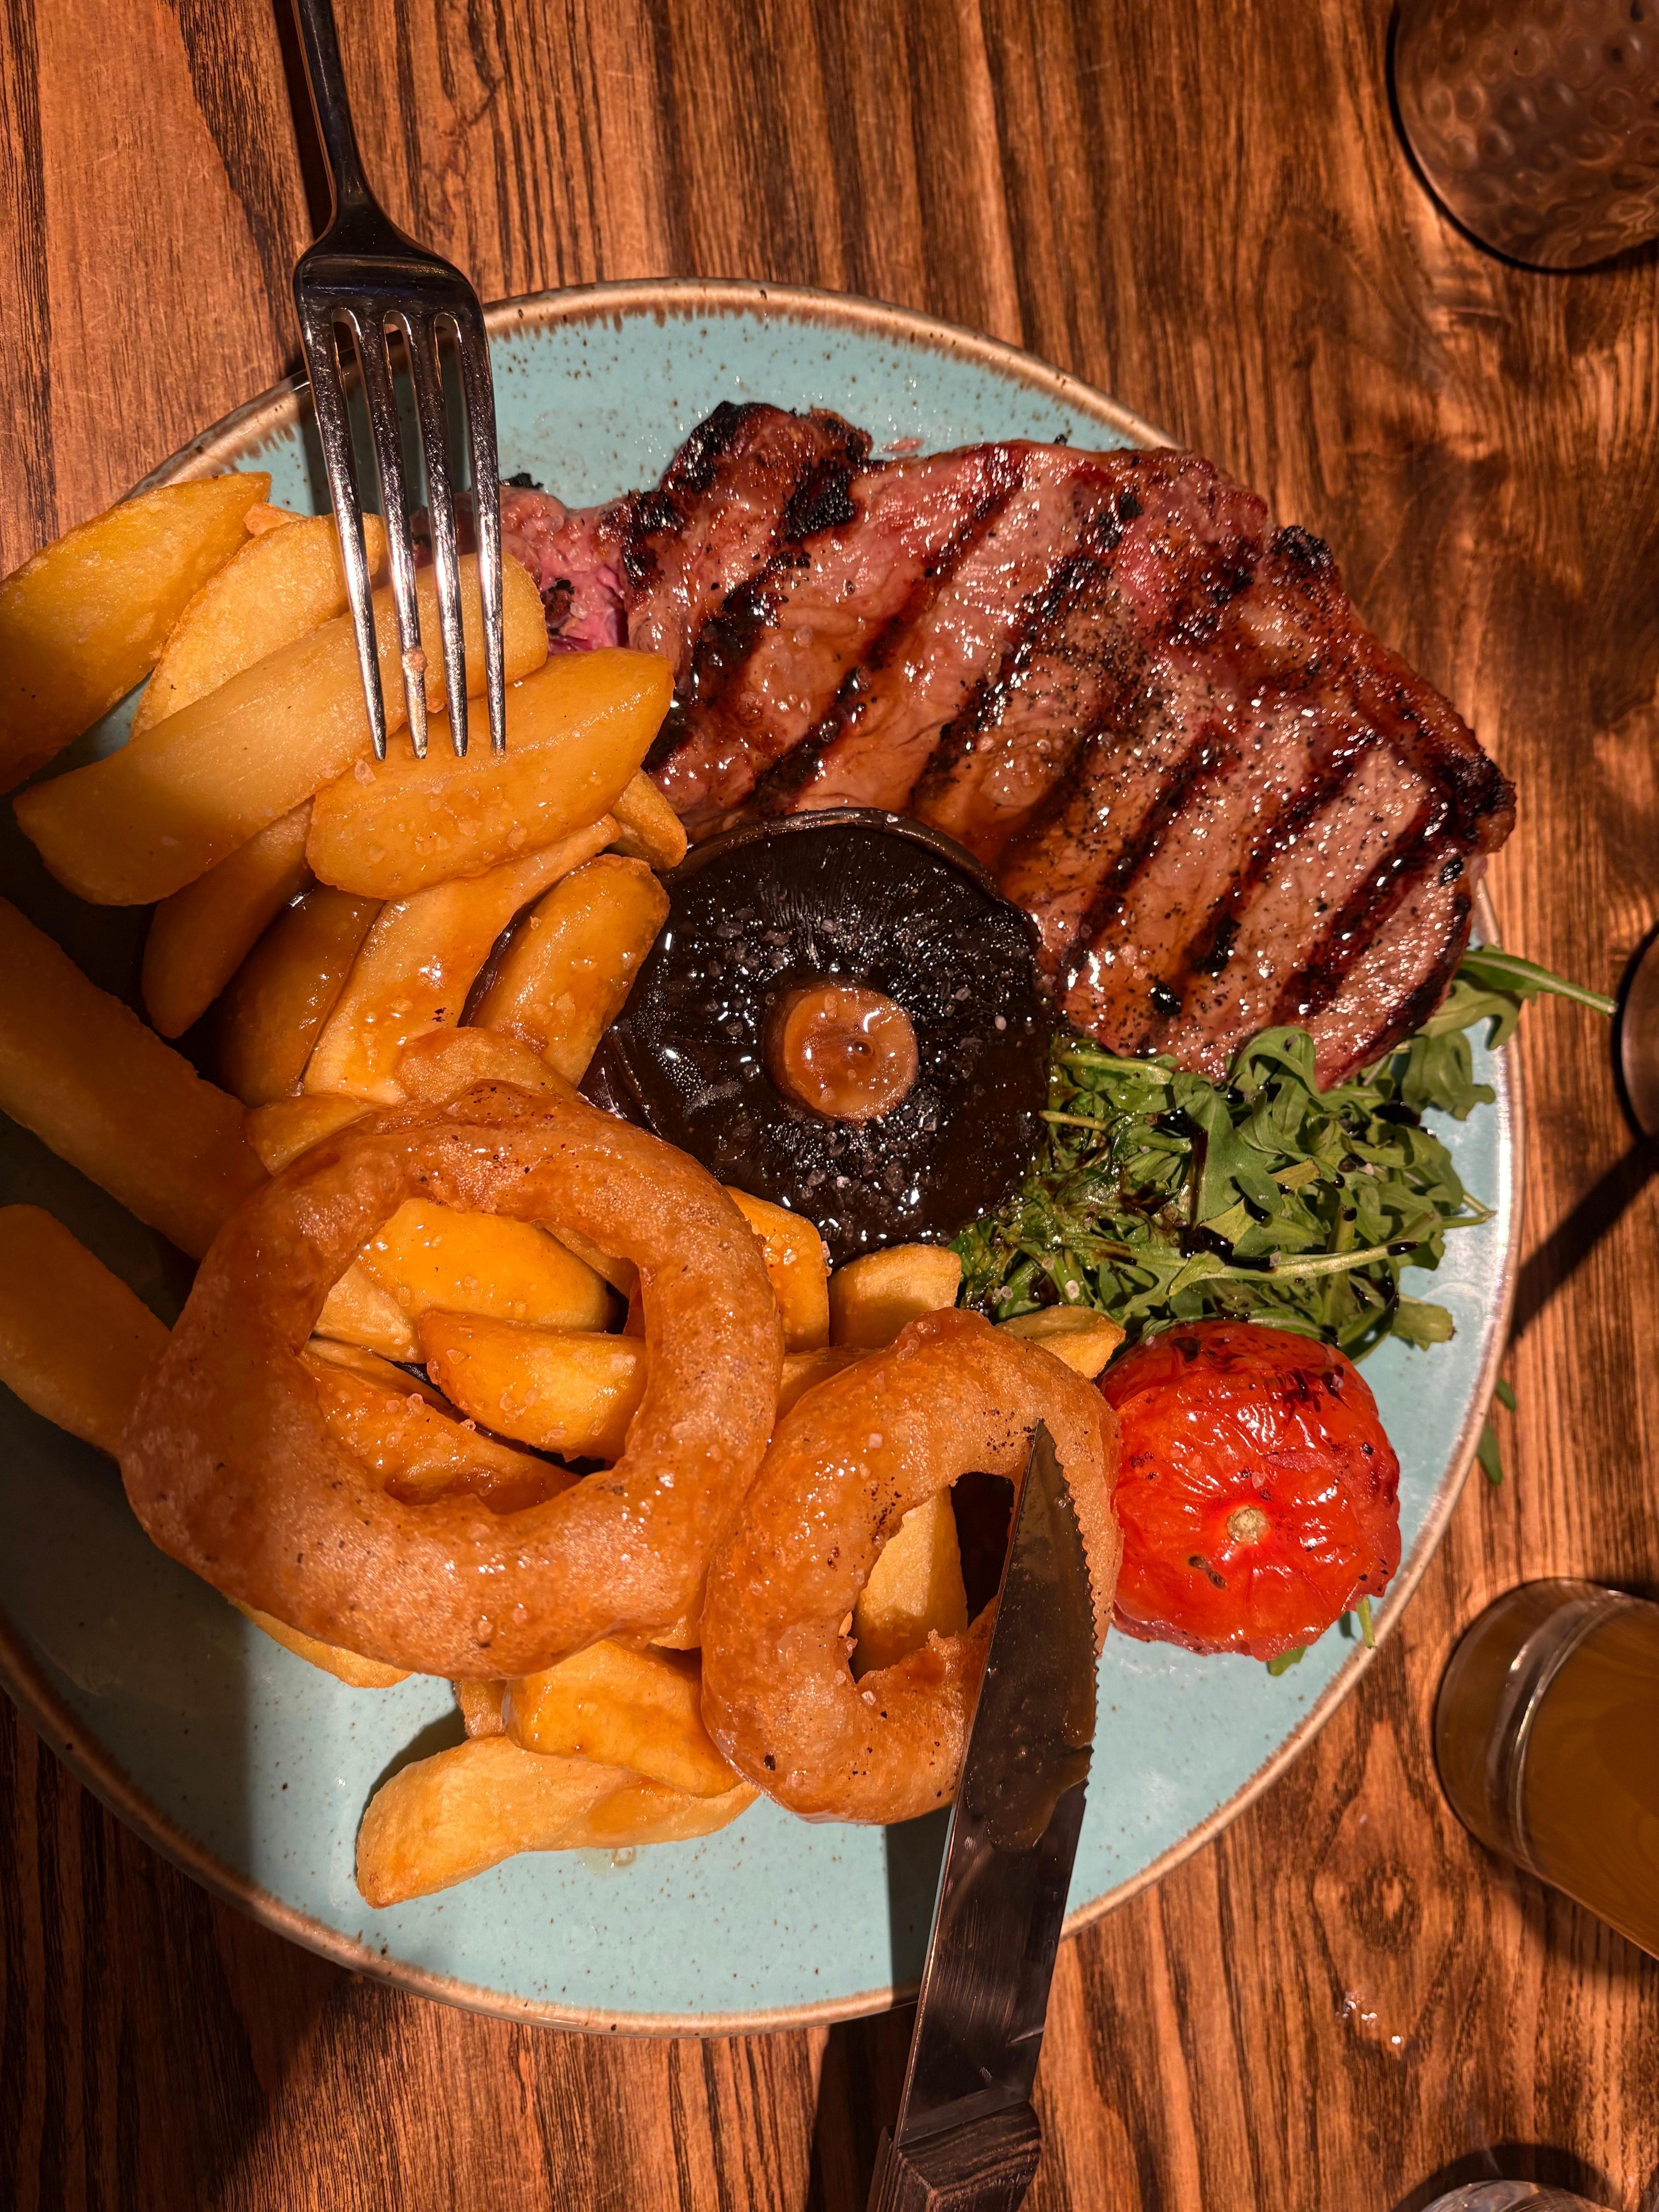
(1536, 123)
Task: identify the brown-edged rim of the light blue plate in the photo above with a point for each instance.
(278, 413)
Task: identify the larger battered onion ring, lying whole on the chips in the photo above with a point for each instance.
(236, 1472)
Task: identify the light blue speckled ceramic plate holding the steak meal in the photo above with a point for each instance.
(251, 1771)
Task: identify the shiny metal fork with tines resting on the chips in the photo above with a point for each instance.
(362, 278)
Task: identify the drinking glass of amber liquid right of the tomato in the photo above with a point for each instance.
(1547, 1738)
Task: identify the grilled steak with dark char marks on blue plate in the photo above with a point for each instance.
(1151, 716)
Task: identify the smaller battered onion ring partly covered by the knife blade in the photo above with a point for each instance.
(853, 1459)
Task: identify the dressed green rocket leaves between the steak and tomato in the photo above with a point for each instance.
(1169, 1198)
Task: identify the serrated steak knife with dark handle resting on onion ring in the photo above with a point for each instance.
(966, 2138)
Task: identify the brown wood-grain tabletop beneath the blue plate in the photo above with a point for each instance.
(1204, 211)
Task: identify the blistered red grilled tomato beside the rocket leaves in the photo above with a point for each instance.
(1258, 1490)
